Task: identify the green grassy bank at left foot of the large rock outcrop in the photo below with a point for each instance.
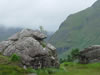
(7, 67)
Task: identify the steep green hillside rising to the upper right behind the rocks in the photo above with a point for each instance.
(79, 30)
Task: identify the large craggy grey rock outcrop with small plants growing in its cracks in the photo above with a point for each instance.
(29, 45)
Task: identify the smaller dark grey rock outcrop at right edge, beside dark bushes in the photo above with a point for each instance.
(90, 54)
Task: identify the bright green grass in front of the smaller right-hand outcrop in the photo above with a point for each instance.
(81, 69)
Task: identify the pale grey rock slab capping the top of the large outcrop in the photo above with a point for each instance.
(28, 33)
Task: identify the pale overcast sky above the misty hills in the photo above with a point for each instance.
(33, 13)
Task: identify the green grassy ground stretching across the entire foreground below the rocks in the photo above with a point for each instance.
(7, 67)
